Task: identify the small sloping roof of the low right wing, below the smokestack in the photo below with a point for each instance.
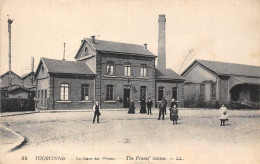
(167, 74)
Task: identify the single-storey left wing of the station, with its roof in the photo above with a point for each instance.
(64, 84)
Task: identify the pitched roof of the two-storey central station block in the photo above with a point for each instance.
(117, 47)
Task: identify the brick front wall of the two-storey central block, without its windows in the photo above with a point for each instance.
(120, 82)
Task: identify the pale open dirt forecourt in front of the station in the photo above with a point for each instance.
(119, 137)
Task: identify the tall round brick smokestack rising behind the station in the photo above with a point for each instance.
(161, 43)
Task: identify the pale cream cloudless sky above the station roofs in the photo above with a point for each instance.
(217, 30)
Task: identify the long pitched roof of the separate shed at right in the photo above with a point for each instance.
(222, 68)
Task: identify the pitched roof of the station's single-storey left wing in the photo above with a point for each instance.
(67, 67)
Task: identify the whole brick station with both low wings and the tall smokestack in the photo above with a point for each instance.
(110, 72)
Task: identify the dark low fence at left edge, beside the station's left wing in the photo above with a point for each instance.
(17, 104)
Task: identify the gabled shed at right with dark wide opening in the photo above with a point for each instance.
(209, 83)
